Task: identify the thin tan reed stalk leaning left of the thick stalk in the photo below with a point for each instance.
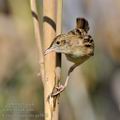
(37, 32)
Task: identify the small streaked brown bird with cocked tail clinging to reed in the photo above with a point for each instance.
(77, 45)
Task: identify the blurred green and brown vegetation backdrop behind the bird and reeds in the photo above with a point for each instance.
(93, 92)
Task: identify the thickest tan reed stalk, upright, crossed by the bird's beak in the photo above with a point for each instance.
(49, 30)
